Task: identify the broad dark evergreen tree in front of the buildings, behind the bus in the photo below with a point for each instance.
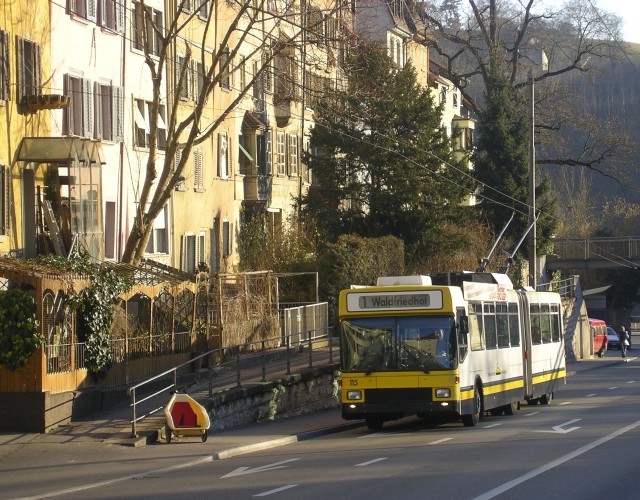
(383, 164)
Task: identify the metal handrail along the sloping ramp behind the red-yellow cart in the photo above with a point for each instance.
(241, 351)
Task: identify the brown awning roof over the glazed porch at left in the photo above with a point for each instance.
(60, 149)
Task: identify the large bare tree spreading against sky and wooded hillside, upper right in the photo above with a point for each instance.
(518, 36)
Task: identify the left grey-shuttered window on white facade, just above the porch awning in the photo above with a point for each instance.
(78, 117)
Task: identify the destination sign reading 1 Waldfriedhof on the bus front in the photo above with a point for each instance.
(370, 301)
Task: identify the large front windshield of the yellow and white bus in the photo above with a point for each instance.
(398, 343)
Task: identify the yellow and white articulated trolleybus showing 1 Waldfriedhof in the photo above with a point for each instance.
(446, 347)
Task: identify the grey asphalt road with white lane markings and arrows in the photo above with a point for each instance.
(584, 445)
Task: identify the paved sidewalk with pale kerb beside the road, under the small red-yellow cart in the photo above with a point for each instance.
(113, 428)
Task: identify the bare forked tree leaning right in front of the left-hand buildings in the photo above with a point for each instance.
(259, 29)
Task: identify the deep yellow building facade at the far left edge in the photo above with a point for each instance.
(25, 97)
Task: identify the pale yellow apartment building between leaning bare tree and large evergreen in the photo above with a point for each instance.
(254, 124)
